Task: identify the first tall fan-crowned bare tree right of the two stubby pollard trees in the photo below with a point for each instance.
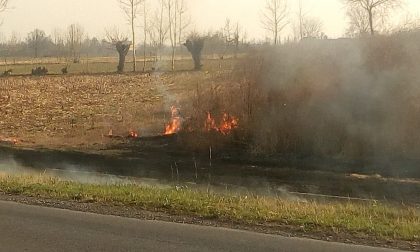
(274, 17)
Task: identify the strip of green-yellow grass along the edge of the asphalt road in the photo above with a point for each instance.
(381, 221)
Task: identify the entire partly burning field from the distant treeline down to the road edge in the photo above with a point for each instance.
(299, 120)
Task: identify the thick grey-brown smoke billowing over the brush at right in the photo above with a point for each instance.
(348, 99)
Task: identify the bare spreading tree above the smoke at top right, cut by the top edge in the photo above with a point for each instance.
(372, 8)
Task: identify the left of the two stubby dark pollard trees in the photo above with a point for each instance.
(122, 45)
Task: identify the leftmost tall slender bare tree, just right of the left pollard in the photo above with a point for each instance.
(131, 9)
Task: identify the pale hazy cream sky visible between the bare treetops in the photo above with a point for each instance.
(96, 15)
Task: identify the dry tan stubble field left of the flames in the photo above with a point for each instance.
(78, 111)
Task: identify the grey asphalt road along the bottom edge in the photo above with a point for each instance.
(31, 228)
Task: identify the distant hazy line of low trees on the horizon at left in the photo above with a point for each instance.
(75, 45)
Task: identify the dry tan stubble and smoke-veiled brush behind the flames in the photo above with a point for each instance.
(347, 99)
